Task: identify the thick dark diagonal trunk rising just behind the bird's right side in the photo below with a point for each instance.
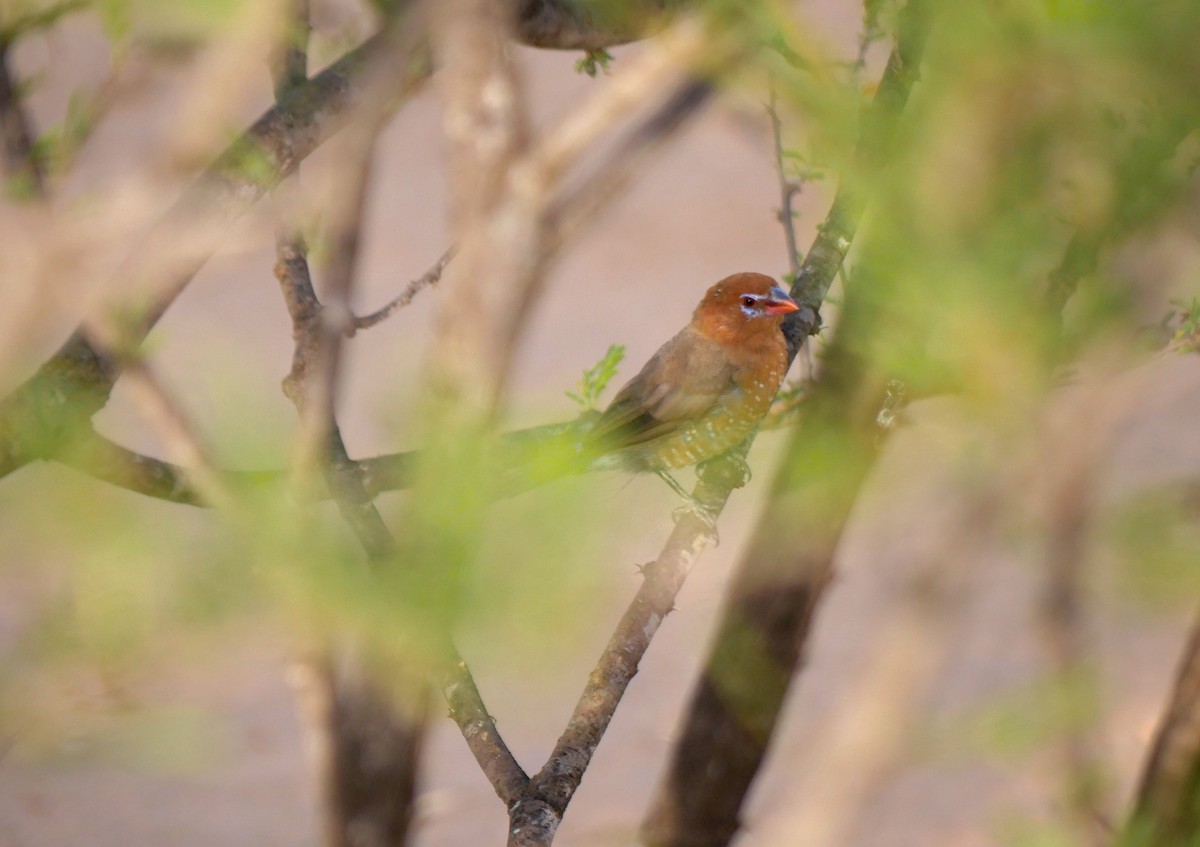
(783, 576)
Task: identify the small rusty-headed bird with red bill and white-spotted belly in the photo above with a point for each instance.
(706, 389)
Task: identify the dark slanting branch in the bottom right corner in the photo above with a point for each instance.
(1167, 810)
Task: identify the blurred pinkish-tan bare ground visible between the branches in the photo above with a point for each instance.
(705, 211)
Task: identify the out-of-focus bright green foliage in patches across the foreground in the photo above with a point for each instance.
(1035, 123)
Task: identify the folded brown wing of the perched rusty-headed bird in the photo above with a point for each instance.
(682, 382)
